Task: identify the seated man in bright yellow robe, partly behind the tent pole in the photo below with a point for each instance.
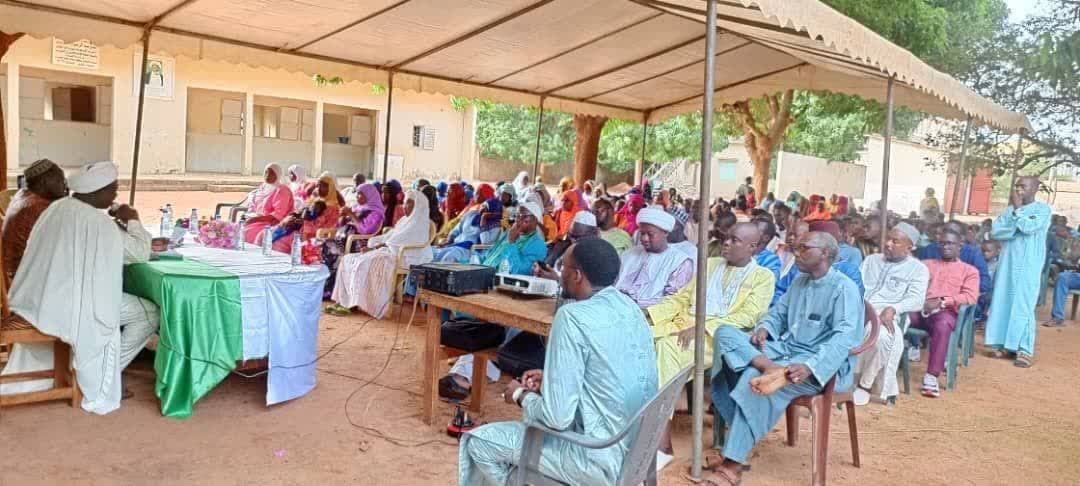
(738, 295)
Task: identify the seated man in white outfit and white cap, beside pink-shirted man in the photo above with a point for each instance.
(896, 285)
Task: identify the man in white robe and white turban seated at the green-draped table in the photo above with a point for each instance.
(70, 286)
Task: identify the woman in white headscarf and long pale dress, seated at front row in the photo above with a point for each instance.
(366, 280)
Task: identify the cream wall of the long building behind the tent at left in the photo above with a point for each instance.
(166, 134)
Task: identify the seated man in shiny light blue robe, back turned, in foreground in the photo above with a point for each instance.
(600, 370)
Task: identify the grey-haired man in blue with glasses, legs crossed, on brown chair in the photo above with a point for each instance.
(802, 343)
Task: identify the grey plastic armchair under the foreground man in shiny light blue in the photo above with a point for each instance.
(640, 465)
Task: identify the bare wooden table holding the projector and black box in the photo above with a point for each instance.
(526, 314)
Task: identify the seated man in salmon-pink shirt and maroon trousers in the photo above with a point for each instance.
(953, 283)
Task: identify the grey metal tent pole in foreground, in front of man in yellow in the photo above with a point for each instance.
(699, 315)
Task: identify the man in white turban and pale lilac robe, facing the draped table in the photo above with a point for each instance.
(653, 271)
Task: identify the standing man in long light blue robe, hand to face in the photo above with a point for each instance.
(1022, 229)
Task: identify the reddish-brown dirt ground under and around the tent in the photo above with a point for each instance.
(360, 426)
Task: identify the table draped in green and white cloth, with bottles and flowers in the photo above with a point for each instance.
(223, 306)
